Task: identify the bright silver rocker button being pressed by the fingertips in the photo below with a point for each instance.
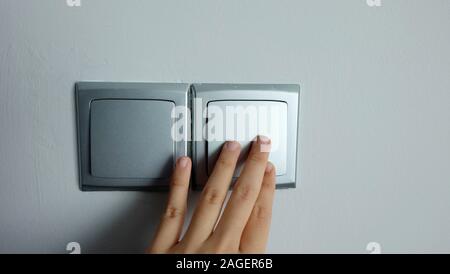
(244, 121)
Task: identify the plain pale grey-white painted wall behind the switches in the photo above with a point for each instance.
(374, 127)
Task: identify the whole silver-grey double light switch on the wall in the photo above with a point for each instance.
(130, 134)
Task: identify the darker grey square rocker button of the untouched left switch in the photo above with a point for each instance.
(131, 139)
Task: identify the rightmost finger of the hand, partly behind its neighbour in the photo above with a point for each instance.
(256, 232)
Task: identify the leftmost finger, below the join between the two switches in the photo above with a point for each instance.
(169, 230)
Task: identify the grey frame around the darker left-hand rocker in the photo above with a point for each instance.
(86, 92)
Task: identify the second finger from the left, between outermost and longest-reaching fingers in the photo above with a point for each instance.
(213, 195)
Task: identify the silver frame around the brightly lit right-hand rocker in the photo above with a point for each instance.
(288, 93)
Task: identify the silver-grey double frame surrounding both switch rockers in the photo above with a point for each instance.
(181, 94)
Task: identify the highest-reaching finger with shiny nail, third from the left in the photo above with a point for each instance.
(245, 192)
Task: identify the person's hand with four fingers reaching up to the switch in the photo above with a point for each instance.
(244, 225)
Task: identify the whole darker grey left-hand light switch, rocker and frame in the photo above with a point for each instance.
(125, 134)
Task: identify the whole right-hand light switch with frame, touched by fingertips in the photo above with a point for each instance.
(241, 112)
